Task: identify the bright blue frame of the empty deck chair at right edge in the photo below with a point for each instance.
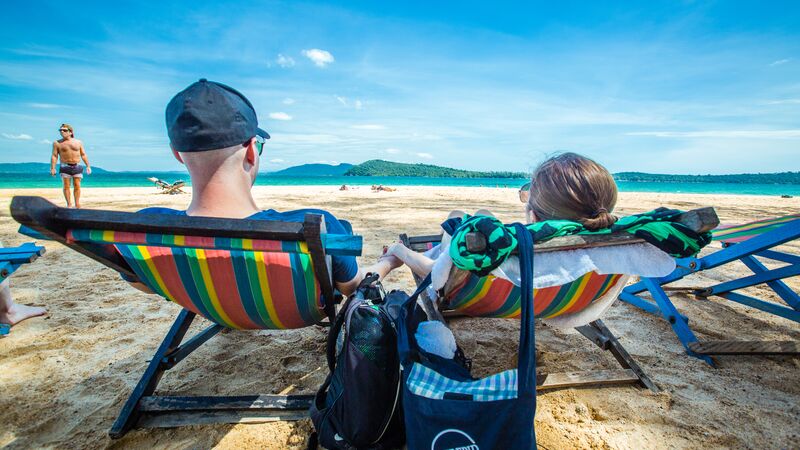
(746, 252)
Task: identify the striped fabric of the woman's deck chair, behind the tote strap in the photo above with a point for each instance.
(491, 296)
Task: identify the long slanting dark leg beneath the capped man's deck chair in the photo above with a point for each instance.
(152, 375)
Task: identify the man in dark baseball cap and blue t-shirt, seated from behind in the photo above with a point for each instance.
(213, 130)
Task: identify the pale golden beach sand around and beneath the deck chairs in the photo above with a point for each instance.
(64, 378)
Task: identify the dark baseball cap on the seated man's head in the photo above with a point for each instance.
(208, 115)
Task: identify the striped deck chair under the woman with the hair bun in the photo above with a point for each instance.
(469, 295)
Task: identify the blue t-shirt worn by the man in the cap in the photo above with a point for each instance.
(345, 268)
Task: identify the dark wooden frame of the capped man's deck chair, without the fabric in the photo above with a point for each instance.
(142, 407)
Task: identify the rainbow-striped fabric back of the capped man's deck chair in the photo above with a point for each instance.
(237, 283)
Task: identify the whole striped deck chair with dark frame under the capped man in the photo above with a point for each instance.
(241, 274)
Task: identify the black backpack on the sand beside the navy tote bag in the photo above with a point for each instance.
(358, 405)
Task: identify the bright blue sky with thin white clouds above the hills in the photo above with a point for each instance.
(665, 87)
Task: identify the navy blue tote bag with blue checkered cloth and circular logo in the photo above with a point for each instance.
(445, 408)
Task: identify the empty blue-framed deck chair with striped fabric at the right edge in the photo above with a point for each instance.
(746, 243)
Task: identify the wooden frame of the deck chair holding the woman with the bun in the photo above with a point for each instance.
(700, 220)
